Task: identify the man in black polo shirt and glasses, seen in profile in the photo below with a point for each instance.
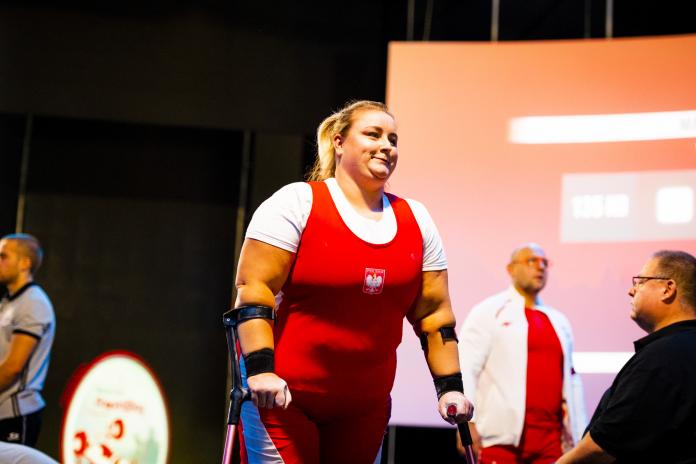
(648, 415)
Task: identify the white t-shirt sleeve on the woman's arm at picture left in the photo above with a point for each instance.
(281, 219)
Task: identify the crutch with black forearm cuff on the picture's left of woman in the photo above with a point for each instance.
(238, 394)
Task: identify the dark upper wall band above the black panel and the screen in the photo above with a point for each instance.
(266, 66)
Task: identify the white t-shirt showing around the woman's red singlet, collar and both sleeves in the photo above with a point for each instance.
(281, 219)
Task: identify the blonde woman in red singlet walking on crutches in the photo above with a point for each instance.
(342, 263)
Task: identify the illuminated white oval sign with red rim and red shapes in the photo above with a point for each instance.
(116, 413)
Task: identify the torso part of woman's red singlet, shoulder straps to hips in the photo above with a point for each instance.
(344, 302)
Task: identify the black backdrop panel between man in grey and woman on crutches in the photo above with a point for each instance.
(138, 225)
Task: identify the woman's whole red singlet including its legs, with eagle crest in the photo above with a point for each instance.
(337, 329)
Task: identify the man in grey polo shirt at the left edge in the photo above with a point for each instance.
(27, 327)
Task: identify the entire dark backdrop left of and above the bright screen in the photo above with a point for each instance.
(143, 119)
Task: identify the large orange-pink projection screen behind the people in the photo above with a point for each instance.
(586, 147)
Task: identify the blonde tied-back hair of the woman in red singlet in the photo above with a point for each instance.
(338, 123)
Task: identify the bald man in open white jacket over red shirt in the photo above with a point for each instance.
(510, 343)
